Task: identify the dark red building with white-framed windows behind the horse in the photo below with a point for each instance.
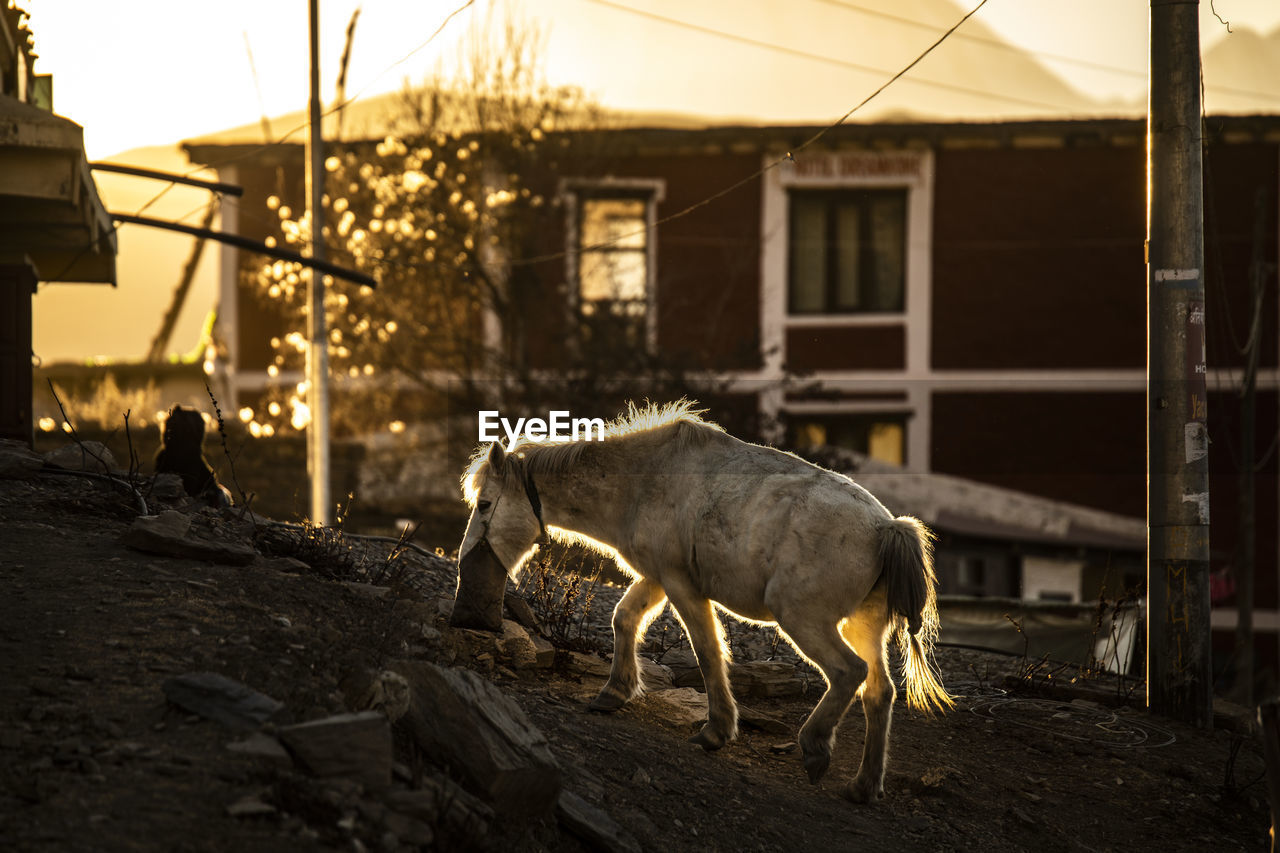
(958, 300)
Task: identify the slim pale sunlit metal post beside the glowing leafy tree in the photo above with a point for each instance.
(318, 343)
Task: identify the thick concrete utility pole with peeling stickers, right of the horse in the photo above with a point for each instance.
(1180, 678)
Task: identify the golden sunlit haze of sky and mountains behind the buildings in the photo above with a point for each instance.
(145, 76)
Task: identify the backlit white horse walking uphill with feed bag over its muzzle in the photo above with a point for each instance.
(702, 519)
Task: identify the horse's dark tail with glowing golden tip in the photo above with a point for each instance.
(907, 563)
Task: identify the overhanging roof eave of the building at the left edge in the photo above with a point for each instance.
(51, 211)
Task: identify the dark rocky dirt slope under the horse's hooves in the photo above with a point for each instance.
(94, 759)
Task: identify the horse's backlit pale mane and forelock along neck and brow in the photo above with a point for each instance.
(675, 422)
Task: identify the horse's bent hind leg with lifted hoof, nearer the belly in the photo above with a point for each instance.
(824, 645)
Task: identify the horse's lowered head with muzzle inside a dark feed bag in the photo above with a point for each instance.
(505, 528)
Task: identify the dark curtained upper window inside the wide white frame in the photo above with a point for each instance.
(848, 252)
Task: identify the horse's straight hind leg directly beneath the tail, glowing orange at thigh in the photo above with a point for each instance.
(867, 631)
